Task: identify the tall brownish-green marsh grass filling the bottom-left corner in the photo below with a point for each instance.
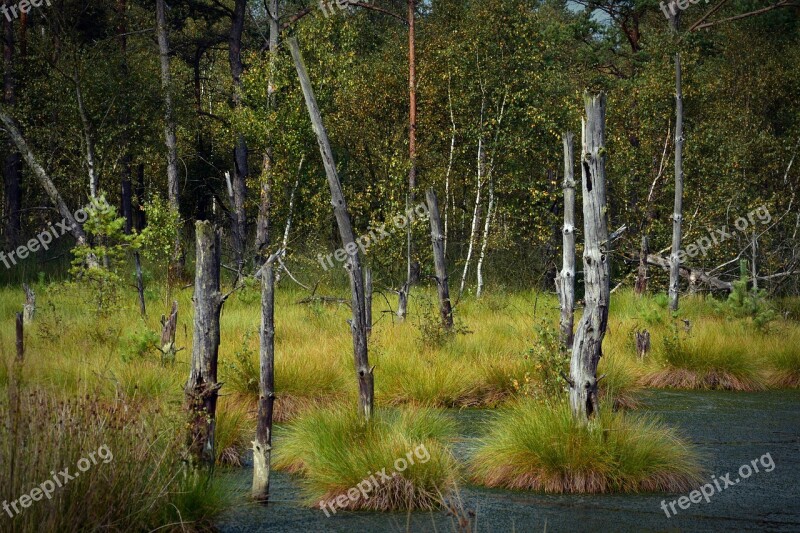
(141, 487)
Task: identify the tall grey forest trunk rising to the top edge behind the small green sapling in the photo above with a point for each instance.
(173, 191)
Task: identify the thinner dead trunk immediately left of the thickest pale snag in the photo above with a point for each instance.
(565, 280)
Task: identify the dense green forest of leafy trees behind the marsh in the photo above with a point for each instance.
(498, 81)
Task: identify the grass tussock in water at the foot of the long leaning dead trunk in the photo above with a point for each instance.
(334, 450)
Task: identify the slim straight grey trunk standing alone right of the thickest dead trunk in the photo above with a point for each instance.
(677, 216)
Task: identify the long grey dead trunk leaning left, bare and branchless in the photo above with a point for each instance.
(358, 326)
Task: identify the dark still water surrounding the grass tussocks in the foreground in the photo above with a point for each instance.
(731, 428)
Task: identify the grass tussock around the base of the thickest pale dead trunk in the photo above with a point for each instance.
(538, 447)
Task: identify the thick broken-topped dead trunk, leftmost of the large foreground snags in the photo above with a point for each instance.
(202, 388)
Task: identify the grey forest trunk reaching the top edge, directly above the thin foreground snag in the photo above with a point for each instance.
(262, 224)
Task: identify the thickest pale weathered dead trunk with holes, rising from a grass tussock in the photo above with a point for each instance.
(587, 347)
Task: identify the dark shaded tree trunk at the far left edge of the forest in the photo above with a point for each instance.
(13, 162)
